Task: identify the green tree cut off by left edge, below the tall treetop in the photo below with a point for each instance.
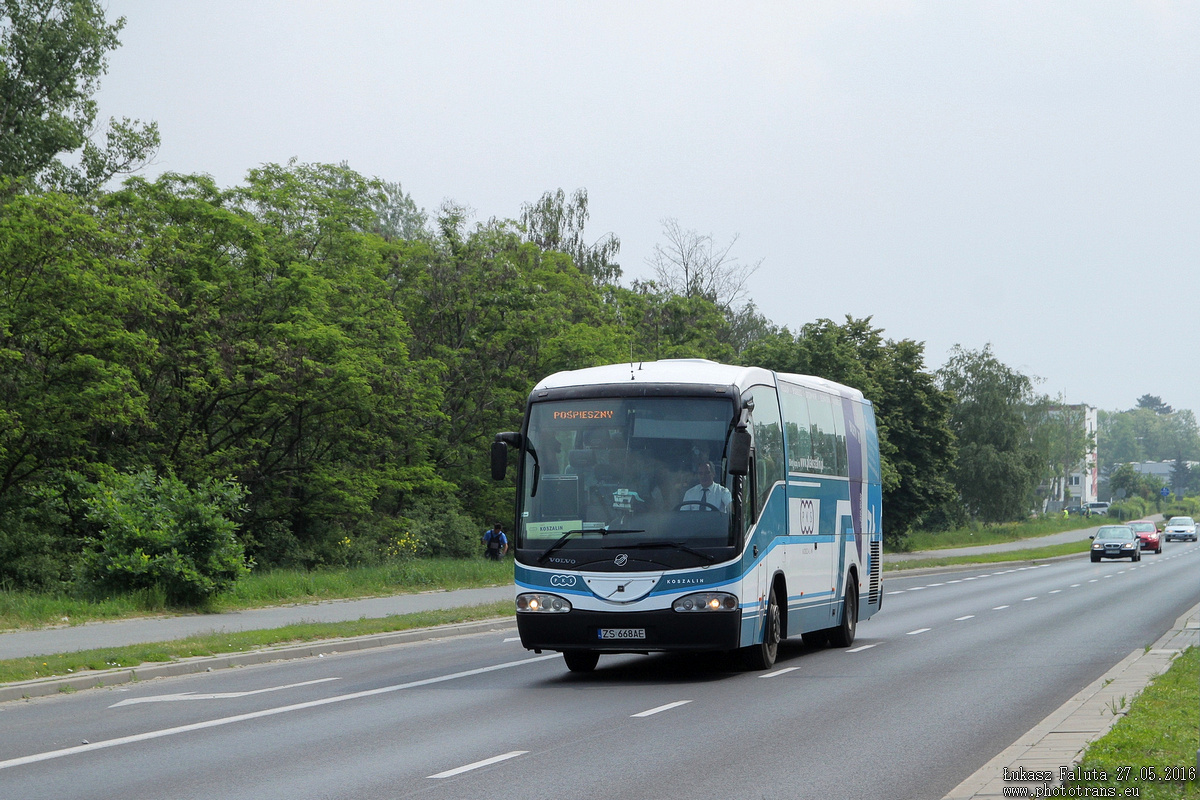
(73, 342)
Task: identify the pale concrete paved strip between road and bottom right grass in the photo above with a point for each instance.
(1061, 739)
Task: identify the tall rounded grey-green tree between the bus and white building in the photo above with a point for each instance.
(999, 462)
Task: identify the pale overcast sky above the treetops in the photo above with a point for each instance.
(1022, 175)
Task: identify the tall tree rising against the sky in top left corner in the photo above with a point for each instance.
(52, 56)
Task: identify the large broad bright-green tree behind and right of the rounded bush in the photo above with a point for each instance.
(284, 360)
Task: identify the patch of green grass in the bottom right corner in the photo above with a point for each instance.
(1157, 737)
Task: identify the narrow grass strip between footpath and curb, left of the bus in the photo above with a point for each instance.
(217, 645)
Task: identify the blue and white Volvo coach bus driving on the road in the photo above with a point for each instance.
(692, 506)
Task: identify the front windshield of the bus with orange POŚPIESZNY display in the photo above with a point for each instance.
(643, 474)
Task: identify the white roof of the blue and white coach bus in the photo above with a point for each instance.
(688, 371)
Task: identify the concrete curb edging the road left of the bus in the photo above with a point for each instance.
(100, 678)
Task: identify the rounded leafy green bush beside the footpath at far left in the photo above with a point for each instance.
(159, 536)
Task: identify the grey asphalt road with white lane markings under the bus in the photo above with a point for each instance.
(953, 670)
